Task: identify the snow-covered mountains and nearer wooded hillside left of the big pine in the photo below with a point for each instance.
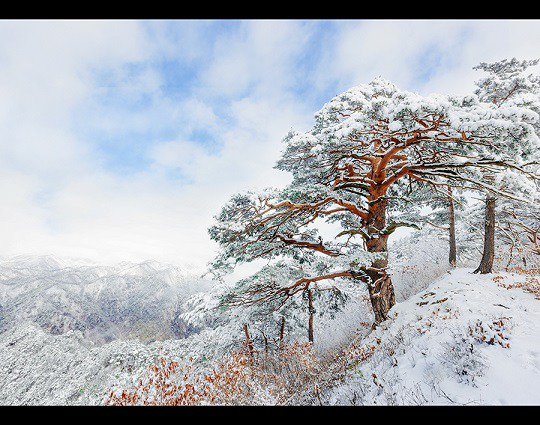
(69, 329)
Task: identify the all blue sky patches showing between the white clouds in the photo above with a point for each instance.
(179, 76)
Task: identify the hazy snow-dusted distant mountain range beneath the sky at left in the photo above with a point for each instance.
(122, 301)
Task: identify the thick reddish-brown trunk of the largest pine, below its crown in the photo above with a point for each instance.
(381, 290)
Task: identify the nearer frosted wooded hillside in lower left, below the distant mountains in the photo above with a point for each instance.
(40, 368)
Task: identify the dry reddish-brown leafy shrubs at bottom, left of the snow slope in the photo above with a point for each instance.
(273, 377)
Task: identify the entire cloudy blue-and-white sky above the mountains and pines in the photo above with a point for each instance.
(119, 140)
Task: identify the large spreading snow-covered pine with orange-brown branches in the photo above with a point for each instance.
(366, 146)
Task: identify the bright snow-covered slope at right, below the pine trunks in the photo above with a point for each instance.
(466, 339)
